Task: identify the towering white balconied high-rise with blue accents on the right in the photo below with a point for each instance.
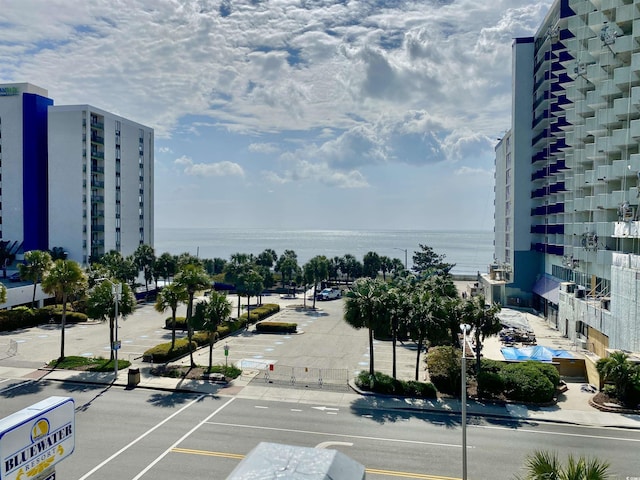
(567, 174)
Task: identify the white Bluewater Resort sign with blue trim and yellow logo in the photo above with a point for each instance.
(36, 438)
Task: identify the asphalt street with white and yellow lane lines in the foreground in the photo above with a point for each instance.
(142, 434)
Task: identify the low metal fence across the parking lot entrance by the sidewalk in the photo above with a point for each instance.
(306, 377)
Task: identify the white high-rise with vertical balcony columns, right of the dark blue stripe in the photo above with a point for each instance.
(101, 188)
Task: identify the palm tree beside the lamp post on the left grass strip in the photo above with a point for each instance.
(101, 304)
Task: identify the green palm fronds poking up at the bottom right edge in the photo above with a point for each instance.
(546, 466)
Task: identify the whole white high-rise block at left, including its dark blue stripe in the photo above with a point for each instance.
(74, 177)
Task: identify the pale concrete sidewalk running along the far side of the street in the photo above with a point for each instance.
(244, 388)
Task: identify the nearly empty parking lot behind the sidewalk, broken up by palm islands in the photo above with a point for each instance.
(324, 341)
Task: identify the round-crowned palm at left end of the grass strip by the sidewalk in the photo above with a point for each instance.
(64, 279)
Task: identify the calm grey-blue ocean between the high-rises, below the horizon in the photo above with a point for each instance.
(471, 251)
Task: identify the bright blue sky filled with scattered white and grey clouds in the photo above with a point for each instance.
(298, 114)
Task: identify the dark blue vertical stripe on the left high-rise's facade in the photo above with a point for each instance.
(34, 179)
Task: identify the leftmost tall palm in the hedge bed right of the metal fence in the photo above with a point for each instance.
(362, 309)
